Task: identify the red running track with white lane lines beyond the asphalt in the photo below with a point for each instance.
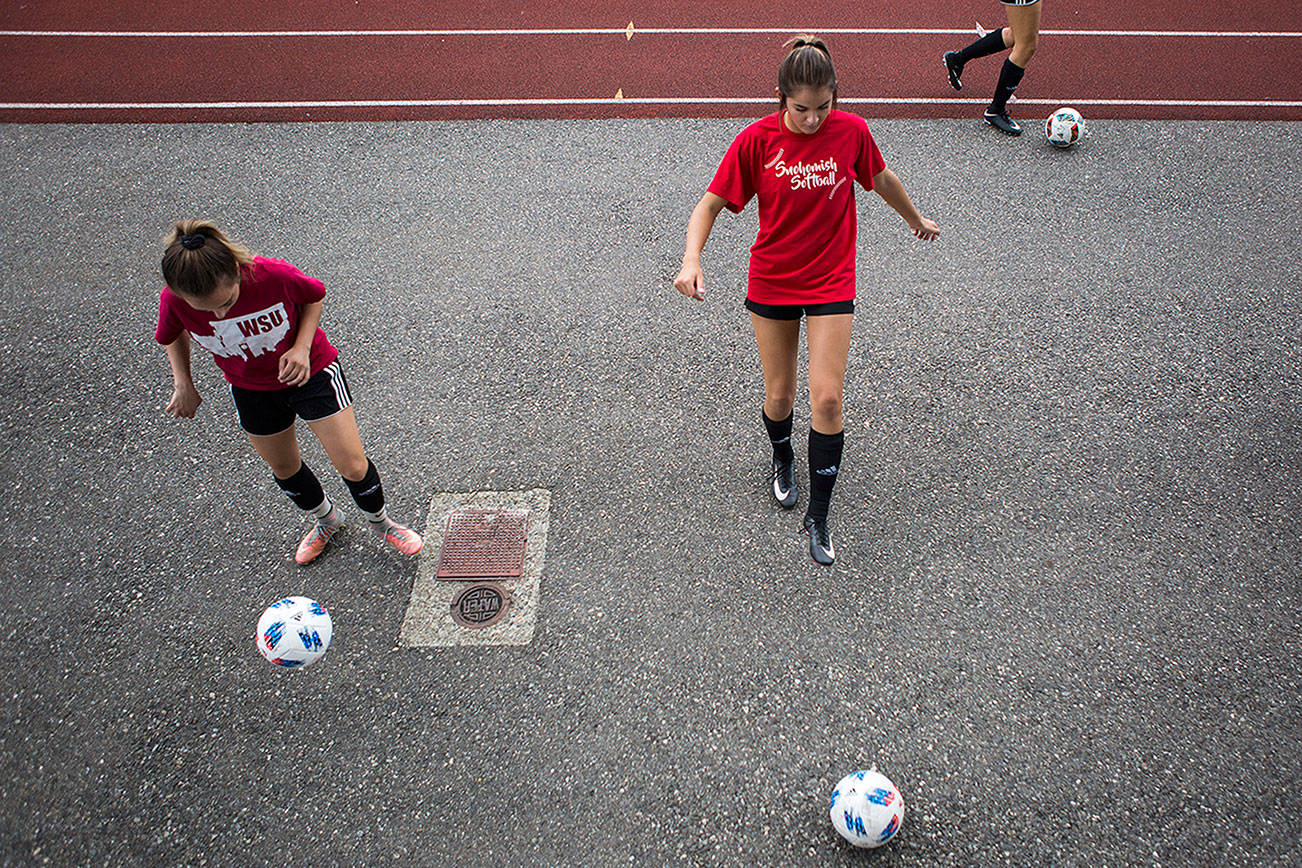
(50, 75)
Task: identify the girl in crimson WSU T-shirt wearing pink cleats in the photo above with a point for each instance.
(260, 319)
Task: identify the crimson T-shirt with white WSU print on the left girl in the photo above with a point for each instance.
(251, 339)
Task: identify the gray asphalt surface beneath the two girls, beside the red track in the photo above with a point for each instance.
(1064, 619)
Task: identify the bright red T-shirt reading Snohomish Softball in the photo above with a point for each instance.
(805, 251)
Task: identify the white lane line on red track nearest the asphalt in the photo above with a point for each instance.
(644, 101)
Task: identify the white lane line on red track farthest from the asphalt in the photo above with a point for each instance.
(623, 32)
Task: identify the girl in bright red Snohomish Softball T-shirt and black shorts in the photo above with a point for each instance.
(801, 163)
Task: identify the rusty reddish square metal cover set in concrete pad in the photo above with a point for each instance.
(484, 543)
